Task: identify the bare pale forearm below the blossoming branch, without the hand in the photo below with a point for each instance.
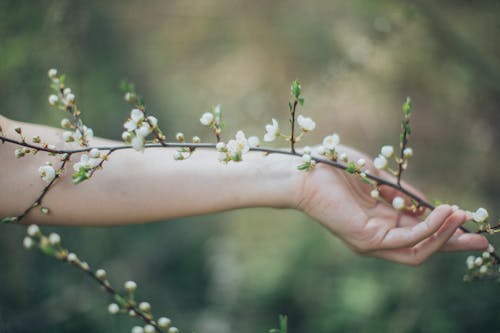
(134, 187)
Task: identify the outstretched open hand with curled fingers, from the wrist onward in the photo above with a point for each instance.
(342, 203)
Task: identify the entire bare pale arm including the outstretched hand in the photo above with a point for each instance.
(144, 187)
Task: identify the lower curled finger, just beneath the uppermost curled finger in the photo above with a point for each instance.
(417, 254)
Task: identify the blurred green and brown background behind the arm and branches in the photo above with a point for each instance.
(236, 271)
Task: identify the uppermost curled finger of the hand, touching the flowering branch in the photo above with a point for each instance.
(410, 235)
